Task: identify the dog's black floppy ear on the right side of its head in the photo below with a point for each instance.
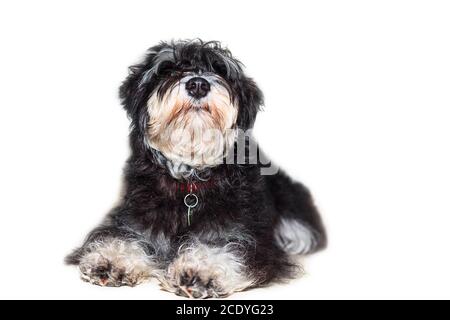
(251, 100)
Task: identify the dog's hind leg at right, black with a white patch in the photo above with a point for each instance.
(300, 229)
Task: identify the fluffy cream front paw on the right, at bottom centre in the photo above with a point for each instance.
(204, 271)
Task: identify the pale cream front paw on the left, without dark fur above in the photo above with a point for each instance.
(115, 263)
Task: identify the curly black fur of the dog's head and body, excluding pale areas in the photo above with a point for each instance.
(240, 197)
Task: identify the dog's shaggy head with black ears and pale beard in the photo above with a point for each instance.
(186, 100)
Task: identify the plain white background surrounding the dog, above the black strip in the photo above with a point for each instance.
(357, 107)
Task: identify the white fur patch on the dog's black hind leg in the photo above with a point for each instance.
(294, 237)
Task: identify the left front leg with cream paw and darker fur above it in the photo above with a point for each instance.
(111, 257)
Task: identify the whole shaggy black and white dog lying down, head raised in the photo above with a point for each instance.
(197, 212)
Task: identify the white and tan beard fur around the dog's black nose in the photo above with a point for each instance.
(193, 137)
